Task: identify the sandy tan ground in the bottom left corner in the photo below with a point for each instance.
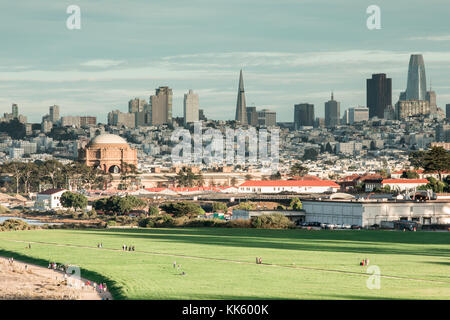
(23, 281)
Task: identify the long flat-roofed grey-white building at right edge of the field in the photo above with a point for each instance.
(367, 213)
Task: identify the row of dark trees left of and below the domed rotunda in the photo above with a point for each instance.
(29, 176)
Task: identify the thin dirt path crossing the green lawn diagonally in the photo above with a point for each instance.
(238, 261)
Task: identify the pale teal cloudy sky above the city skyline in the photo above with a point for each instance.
(291, 51)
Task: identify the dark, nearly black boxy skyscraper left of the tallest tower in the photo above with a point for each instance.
(379, 94)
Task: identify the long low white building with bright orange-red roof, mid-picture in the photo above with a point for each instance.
(297, 186)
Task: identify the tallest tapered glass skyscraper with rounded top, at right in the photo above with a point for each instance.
(416, 87)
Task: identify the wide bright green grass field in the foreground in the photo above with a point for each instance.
(220, 263)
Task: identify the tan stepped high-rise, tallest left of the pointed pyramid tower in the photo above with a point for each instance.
(161, 106)
